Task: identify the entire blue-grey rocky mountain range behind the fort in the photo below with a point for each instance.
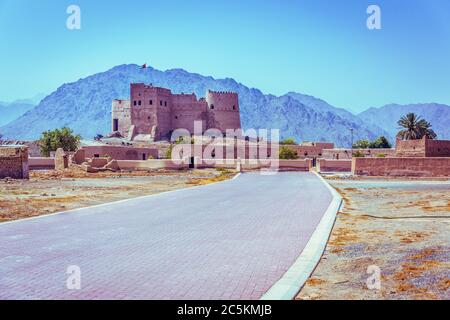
(85, 106)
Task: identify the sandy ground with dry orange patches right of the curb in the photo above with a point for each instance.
(401, 227)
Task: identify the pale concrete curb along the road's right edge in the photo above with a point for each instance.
(294, 279)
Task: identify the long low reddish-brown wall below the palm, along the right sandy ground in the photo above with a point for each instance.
(413, 167)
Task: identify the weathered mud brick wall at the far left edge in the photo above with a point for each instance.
(14, 162)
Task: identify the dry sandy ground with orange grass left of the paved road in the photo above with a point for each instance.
(52, 191)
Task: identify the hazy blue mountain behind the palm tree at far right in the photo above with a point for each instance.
(387, 116)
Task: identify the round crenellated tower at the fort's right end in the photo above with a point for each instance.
(223, 110)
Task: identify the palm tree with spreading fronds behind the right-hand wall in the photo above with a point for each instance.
(413, 127)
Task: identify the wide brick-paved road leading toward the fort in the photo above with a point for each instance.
(231, 240)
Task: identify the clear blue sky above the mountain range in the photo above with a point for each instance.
(317, 47)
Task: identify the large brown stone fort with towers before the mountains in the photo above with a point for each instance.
(152, 113)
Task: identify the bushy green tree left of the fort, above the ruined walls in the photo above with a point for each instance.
(59, 138)
